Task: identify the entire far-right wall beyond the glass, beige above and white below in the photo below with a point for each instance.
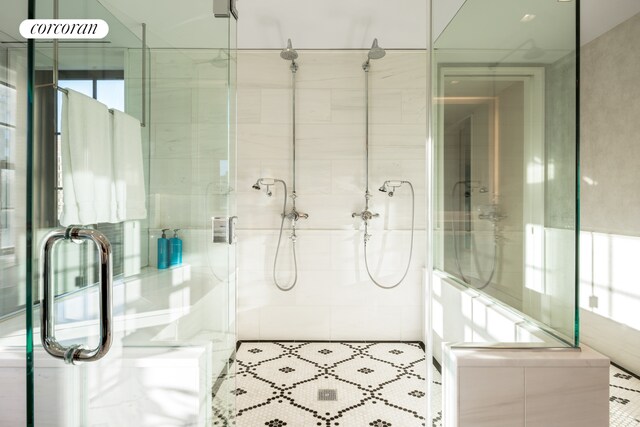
(610, 153)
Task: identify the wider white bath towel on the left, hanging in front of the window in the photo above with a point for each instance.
(88, 186)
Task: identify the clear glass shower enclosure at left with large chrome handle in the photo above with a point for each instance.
(112, 338)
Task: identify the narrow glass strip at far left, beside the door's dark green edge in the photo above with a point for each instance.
(13, 214)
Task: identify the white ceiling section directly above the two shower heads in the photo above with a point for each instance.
(332, 24)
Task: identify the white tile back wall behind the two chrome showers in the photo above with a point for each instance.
(334, 297)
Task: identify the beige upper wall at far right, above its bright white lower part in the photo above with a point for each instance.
(610, 131)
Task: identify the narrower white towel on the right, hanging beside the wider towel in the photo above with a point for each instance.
(128, 168)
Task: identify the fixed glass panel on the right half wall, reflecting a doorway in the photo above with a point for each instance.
(504, 125)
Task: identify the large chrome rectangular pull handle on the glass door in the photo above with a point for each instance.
(74, 352)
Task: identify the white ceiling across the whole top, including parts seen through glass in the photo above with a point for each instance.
(313, 24)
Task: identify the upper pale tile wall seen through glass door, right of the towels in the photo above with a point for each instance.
(189, 139)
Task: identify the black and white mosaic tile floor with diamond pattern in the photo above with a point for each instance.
(305, 384)
